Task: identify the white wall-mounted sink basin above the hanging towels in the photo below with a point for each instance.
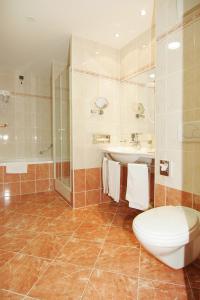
(127, 154)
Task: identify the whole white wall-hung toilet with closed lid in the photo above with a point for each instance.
(170, 233)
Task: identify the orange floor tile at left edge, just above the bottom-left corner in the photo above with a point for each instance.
(21, 273)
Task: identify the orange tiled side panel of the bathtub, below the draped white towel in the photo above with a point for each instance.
(39, 178)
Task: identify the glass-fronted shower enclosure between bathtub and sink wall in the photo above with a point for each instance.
(61, 129)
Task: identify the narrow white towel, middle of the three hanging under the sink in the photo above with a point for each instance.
(114, 179)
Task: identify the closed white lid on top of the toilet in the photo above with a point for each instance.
(167, 222)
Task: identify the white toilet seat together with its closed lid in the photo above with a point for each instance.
(167, 225)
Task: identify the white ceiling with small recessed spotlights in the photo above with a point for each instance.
(33, 44)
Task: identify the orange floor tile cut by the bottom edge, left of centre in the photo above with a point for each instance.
(61, 281)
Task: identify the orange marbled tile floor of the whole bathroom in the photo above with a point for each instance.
(48, 251)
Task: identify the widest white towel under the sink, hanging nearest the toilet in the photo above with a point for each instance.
(137, 192)
